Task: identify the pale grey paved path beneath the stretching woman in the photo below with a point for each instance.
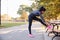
(21, 33)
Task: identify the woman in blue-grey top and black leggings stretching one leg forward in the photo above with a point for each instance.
(32, 17)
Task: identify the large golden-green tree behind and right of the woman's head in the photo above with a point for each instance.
(52, 6)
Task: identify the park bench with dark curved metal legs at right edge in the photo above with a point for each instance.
(55, 32)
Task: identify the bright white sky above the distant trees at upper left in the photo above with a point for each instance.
(10, 7)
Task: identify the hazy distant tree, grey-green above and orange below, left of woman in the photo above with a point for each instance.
(22, 11)
